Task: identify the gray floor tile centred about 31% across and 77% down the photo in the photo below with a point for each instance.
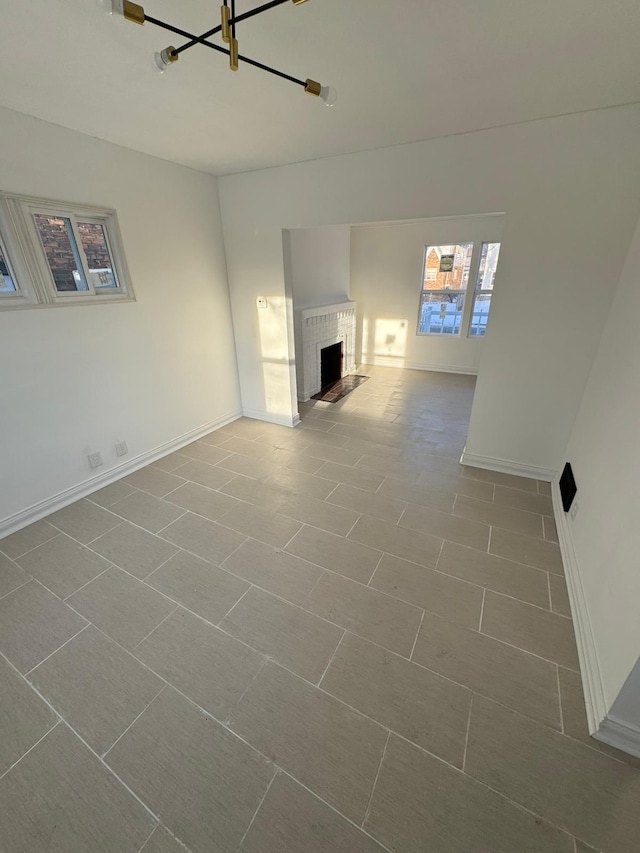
(205, 664)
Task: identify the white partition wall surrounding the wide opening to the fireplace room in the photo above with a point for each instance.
(570, 189)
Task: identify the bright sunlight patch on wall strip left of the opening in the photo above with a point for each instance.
(276, 364)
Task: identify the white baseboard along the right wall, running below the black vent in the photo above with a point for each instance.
(592, 682)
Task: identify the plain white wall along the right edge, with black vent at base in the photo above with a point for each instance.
(605, 457)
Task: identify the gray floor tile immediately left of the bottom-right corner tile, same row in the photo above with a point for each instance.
(421, 706)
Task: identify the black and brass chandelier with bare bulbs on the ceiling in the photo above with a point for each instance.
(166, 57)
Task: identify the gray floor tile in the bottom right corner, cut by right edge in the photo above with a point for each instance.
(583, 791)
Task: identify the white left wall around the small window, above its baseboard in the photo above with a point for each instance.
(147, 372)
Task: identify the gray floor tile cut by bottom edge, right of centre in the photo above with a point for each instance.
(420, 804)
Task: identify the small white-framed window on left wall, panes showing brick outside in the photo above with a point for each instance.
(69, 253)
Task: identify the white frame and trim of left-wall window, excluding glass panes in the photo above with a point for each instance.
(32, 273)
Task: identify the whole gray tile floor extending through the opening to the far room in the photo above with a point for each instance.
(333, 638)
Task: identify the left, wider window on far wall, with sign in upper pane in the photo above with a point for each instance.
(444, 285)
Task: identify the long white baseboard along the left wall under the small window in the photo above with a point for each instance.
(99, 481)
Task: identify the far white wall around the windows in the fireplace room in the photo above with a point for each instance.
(386, 279)
